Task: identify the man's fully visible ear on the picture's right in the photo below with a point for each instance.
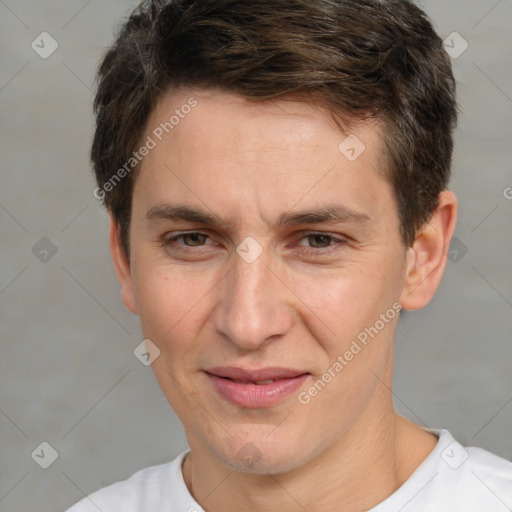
(426, 258)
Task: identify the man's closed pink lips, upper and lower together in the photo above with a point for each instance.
(255, 388)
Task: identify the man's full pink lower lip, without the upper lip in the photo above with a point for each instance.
(254, 396)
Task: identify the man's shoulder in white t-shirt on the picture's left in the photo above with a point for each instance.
(145, 490)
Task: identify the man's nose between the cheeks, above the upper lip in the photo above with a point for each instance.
(253, 307)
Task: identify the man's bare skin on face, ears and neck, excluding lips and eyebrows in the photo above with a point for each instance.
(204, 306)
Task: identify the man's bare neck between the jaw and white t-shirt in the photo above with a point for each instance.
(357, 472)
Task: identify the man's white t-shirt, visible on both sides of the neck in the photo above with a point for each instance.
(451, 479)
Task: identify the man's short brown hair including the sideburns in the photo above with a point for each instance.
(361, 58)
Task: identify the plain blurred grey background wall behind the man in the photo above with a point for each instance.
(68, 375)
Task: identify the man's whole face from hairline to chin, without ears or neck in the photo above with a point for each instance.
(294, 296)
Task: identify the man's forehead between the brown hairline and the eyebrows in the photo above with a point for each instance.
(225, 151)
